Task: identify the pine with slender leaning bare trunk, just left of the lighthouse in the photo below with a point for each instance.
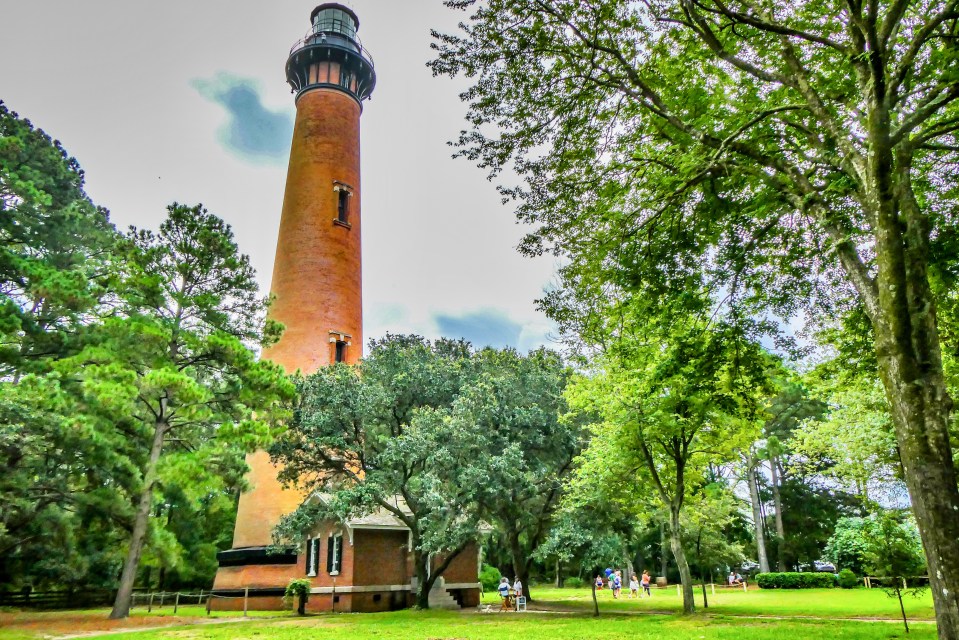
(176, 365)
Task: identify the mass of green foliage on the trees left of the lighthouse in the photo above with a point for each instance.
(106, 341)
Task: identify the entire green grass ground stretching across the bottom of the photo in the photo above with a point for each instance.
(732, 615)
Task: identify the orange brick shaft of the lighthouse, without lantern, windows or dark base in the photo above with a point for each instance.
(316, 276)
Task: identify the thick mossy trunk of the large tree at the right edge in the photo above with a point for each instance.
(903, 314)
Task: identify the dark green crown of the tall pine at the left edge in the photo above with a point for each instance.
(55, 248)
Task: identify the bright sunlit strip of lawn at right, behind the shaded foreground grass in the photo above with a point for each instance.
(829, 603)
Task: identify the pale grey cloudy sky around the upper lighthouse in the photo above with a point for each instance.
(188, 102)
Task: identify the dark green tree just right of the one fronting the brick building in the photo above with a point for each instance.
(515, 410)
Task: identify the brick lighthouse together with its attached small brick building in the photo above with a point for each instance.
(363, 564)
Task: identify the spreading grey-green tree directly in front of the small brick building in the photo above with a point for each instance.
(378, 436)
